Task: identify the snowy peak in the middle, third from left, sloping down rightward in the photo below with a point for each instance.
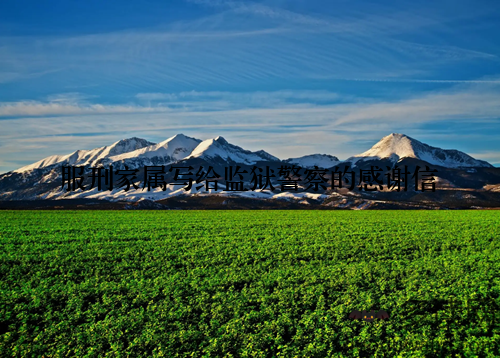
(220, 148)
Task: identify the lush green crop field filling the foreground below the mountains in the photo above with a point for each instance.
(249, 283)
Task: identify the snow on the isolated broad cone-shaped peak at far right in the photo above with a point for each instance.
(396, 146)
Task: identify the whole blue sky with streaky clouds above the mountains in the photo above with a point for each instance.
(292, 77)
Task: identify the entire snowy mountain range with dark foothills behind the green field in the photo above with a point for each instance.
(461, 180)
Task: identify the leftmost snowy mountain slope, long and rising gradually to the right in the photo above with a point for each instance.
(89, 157)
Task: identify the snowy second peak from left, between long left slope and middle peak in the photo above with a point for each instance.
(176, 148)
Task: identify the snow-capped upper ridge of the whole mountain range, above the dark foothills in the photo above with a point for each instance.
(393, 147)
